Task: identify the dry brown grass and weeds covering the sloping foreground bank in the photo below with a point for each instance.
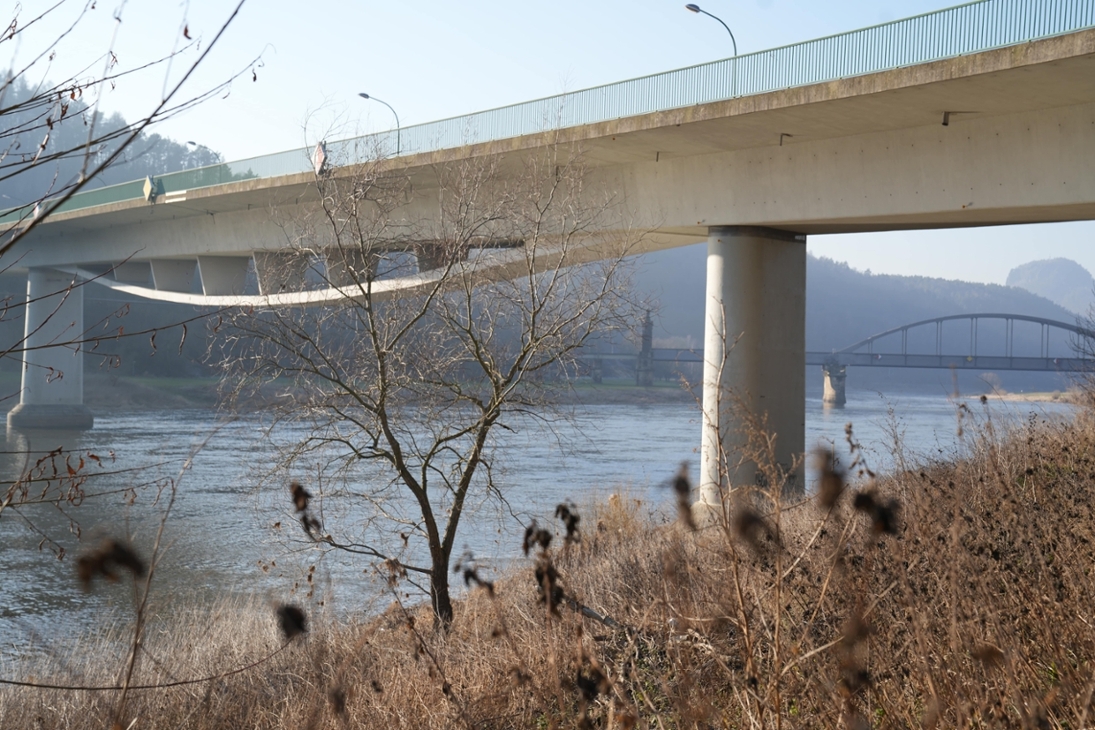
(977, 612)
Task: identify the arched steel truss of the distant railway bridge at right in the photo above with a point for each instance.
(862, 354)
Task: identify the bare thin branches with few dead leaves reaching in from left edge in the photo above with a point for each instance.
(54, 142)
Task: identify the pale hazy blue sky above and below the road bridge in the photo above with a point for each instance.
(433, 60)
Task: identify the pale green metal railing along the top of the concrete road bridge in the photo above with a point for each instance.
(967, 29)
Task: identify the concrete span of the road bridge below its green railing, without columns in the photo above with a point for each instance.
(835, 128)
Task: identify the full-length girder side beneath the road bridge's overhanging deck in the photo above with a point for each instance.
(1029, 167)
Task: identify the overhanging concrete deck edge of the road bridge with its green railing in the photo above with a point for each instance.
(893, 76)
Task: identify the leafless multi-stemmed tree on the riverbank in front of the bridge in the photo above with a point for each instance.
(464, 292)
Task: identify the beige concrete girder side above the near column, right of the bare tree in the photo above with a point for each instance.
(1032, 167)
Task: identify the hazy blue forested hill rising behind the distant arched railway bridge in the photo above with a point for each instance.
(843, 306)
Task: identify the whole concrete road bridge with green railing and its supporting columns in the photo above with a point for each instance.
(983, 114)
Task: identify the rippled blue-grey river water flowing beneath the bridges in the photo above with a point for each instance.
(222, 540)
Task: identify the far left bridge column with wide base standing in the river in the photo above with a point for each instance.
(52, 393)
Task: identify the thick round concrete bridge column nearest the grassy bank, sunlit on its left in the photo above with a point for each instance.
(755, 354)
